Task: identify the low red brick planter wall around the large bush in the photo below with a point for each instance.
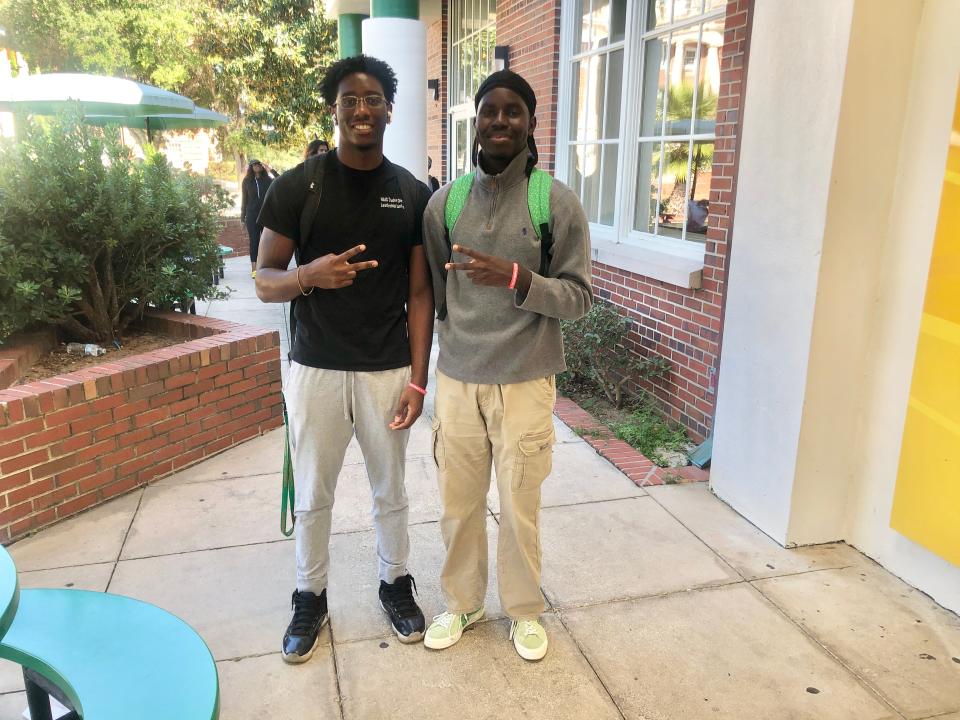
(73, 441)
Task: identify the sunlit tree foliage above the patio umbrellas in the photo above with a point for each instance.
(259, 61)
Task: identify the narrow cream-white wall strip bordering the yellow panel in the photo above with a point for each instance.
(905, 264)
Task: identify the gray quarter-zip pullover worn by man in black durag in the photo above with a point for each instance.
(491, 335)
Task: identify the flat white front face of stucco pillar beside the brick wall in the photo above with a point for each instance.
(792, 109)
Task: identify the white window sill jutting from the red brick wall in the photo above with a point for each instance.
(675, 266)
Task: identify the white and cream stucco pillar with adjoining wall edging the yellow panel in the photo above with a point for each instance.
(847, 116)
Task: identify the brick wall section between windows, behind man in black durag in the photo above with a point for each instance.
(531, 28)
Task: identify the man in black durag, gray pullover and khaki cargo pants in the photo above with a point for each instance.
(500, 347)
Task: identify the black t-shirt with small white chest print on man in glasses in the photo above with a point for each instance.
(362, 326)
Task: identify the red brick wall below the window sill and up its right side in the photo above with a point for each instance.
(686, 325)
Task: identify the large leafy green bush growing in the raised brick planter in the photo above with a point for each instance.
(89, 237)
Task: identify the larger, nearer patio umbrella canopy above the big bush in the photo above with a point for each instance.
(51, 93)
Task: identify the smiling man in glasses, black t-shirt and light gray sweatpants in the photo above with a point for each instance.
(364, 324)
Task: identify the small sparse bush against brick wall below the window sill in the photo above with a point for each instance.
(596, 354)
